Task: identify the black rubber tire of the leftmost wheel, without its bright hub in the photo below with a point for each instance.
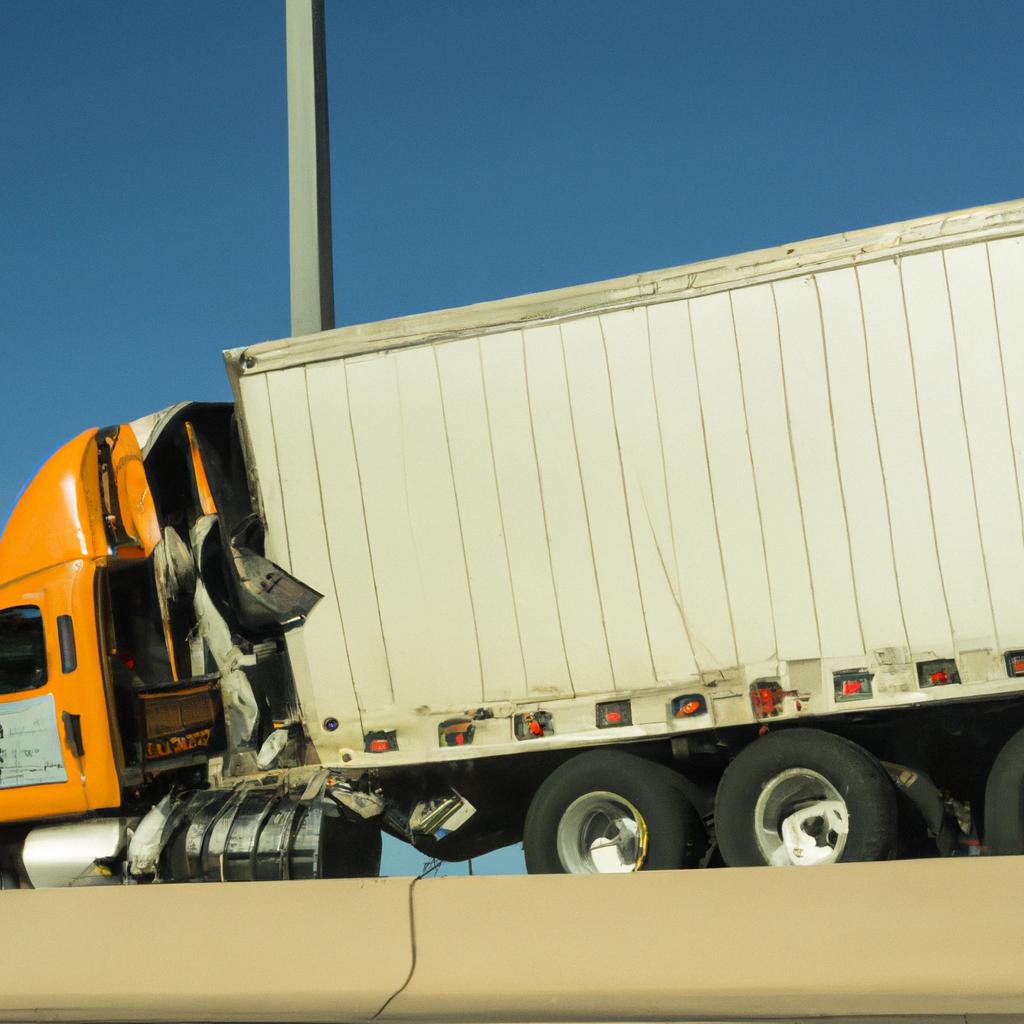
(675, 836)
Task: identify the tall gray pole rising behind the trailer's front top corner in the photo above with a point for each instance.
(309, 169)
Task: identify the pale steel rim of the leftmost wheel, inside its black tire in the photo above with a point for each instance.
(602, 834)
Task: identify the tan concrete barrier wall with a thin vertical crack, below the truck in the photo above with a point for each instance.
(938, 941)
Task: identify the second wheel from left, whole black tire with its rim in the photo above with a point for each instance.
(801, 797)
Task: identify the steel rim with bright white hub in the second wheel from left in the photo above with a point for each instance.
(801, 820)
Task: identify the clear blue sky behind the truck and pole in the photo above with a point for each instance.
(480, 150)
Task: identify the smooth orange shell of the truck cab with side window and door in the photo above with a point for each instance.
(58, 748)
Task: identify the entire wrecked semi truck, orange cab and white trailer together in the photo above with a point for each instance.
(709, 567)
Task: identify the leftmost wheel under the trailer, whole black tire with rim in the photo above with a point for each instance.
(609, 813)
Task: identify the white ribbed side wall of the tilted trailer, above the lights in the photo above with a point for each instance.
(822, 466)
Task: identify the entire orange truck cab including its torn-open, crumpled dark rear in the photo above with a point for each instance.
(140, 646)
